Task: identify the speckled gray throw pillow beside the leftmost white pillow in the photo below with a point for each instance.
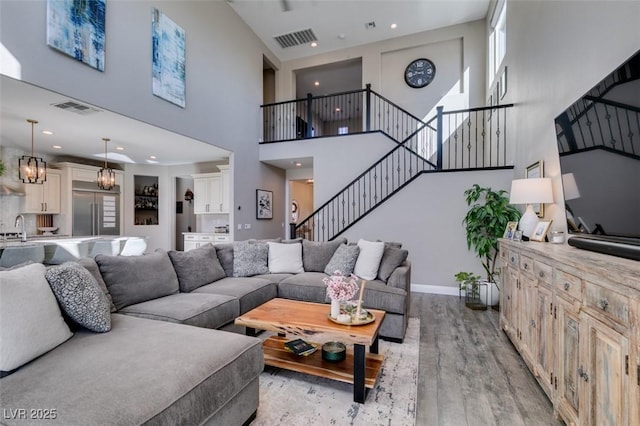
(80, 296)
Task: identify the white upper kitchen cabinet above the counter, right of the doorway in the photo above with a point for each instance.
(211, 192)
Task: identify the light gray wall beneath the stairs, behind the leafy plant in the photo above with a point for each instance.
(426, 217)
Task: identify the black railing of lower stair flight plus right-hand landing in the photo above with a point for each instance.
(460, 140)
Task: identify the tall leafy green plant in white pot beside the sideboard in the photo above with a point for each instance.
(485, 222)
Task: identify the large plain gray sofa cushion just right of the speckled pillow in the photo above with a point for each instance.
(135, 279)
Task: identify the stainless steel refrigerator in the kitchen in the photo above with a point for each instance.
(95, 211)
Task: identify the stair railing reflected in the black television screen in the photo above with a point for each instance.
(593, 123)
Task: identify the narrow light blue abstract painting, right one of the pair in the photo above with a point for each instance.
(168, 59)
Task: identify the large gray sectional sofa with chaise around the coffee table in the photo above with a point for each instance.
(151, 369)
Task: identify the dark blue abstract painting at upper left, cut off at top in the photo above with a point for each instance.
(76, 28)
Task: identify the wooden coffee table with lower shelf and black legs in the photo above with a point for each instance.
(310, 321)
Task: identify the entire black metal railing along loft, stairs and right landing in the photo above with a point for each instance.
(470, 139)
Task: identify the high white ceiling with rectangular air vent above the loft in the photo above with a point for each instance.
(339, 24)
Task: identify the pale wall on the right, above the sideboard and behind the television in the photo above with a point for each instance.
(556, 51)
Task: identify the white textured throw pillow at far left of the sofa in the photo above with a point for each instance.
(30, 320)
